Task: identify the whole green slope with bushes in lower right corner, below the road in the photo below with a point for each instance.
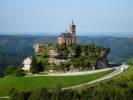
(119, 87)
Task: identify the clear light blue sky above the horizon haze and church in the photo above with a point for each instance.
(56, 15)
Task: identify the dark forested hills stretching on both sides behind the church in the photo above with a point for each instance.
(14, 48)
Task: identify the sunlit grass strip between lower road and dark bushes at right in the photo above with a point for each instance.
(125, 78)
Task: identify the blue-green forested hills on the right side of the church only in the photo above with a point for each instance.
(121, 47)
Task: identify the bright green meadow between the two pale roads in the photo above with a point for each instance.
(31, 83)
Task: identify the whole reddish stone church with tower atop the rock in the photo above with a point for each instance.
(68, 37)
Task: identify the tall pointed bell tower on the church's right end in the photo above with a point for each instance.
(72, 29)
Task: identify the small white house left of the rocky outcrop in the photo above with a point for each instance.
(27, 64)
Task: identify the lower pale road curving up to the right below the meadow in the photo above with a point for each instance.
(114, 73)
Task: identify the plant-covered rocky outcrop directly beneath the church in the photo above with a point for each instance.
(89, 56)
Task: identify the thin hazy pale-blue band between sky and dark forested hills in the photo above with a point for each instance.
(78, 34)
